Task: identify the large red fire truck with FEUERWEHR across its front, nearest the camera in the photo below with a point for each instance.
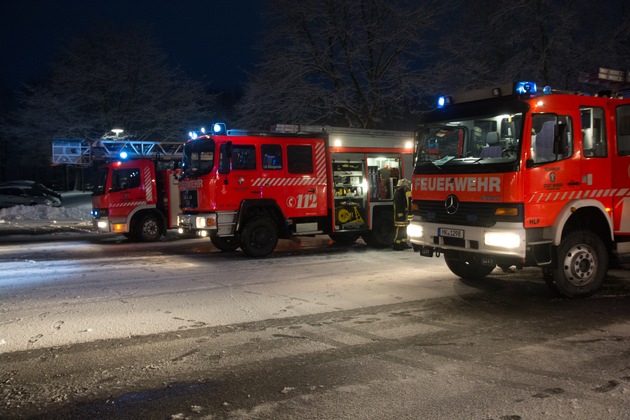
(510, 176)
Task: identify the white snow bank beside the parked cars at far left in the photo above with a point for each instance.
(75, 210)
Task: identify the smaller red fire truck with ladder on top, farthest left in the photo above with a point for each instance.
(137, 194)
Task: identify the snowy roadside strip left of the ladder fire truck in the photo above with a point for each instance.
(73, 216)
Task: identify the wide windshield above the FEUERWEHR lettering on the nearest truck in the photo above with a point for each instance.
(483, 140)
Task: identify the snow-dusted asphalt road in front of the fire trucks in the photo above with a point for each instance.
(315, 331)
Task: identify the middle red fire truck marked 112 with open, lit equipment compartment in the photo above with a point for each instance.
(247, 190)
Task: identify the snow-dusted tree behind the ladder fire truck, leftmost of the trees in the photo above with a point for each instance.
(110, 78)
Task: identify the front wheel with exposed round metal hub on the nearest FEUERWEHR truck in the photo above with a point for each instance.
(581, 265)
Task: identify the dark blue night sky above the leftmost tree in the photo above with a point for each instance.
(211, 40)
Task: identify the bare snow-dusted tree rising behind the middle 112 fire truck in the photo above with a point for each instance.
(345, 62)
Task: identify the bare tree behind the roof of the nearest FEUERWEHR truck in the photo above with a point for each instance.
(549, 41)
